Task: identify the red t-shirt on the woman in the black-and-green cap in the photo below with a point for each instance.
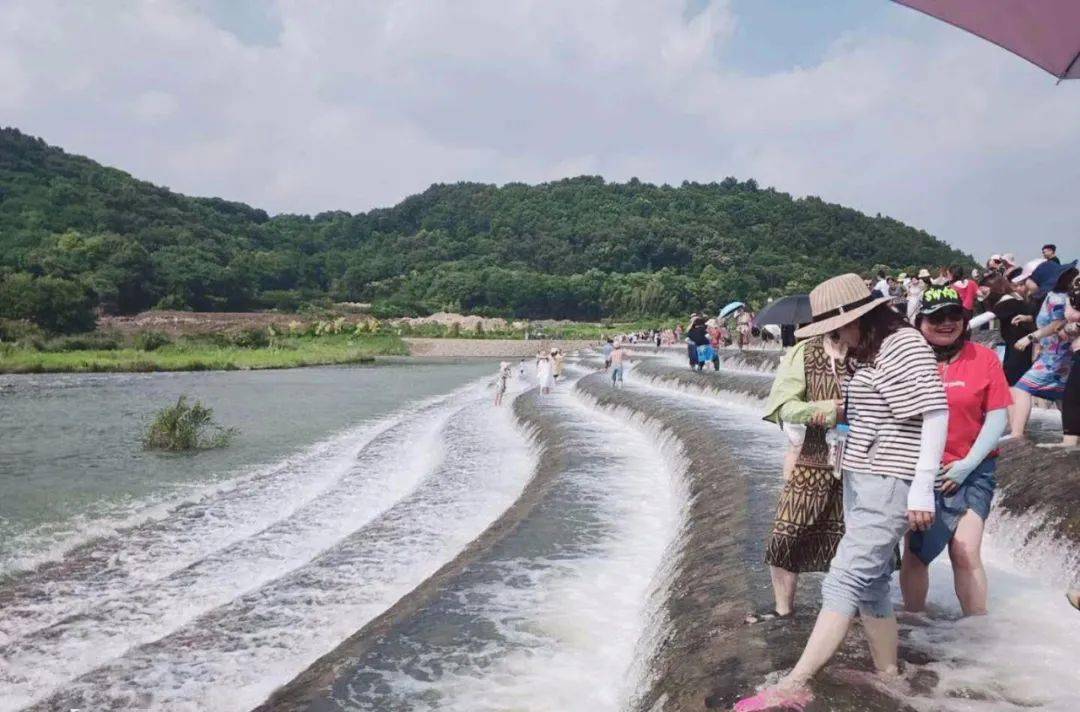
(975, 385)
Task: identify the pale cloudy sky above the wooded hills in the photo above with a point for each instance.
(300, 106)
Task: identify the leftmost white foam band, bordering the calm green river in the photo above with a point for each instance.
(171, 540)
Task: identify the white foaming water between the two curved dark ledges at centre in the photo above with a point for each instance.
(568, 625)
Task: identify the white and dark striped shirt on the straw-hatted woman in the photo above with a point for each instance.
(886, 402)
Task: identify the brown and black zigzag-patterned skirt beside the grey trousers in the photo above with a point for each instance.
(809, 521)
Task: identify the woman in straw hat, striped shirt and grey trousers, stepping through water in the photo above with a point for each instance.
(898, 419)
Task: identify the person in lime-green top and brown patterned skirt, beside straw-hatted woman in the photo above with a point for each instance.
(809, 523)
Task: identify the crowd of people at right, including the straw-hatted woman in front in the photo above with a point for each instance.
(895, 414)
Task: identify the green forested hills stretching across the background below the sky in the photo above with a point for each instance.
(76, 235)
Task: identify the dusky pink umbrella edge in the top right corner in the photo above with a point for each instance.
(1046, 33)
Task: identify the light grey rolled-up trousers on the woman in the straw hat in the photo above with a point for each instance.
(875, 519)
